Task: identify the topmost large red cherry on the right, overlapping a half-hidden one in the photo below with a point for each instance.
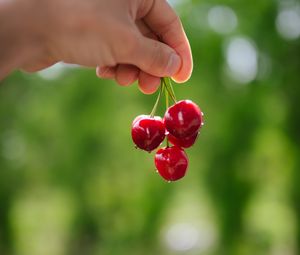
(183, 119)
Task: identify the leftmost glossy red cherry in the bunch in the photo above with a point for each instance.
(148, 132)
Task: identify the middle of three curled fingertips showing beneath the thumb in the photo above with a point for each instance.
(126, 74)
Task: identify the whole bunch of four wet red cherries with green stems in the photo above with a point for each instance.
(180, 126)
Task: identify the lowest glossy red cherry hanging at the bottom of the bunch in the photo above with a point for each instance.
(171, 163)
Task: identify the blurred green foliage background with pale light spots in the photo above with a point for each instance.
(71, 181)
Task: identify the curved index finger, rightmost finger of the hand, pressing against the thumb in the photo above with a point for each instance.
(163, 21)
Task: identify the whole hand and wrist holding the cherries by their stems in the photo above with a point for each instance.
(125, 40)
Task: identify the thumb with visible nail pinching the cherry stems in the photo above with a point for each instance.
(155, 58)
